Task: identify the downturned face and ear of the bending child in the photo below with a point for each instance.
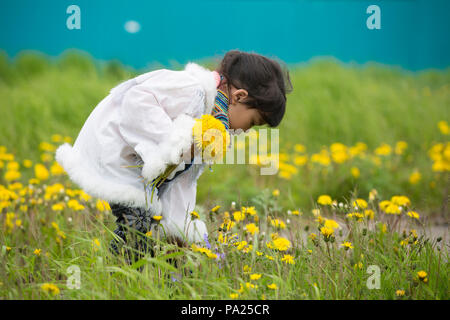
(240, 115)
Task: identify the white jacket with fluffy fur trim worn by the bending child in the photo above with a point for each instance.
(146, 119)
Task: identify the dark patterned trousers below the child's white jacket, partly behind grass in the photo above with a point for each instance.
(129, 220)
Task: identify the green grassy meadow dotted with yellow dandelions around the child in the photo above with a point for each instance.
(357, 210)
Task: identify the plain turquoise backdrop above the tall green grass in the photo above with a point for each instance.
(414, 34)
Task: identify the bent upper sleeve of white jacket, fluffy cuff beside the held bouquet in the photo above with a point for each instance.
(147, 127)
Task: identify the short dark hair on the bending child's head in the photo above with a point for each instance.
(264, 79)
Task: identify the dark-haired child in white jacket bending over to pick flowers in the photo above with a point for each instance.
(148, 120)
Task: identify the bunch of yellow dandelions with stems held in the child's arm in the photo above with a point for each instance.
(210, 137)
